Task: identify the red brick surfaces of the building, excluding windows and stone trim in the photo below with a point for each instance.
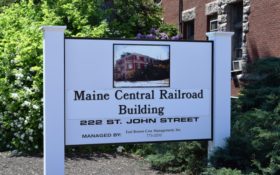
(264, 24)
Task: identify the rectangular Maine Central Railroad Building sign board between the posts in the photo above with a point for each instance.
(125, 91)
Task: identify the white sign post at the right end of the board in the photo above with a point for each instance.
(222, 77)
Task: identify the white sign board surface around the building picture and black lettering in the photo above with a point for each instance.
(77, 56)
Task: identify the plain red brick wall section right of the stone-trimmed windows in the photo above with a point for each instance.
(264, 29)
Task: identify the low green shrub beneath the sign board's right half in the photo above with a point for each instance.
(188, 157)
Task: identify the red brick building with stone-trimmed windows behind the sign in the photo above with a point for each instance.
(256, 24)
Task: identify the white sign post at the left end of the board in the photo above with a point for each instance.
(54, 145)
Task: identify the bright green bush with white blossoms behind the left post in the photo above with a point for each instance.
(21, 68)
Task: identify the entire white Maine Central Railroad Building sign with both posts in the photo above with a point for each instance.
(129, 91)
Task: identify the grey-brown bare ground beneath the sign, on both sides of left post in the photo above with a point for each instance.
(93, 164)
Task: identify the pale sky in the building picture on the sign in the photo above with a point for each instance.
(158, 52)
